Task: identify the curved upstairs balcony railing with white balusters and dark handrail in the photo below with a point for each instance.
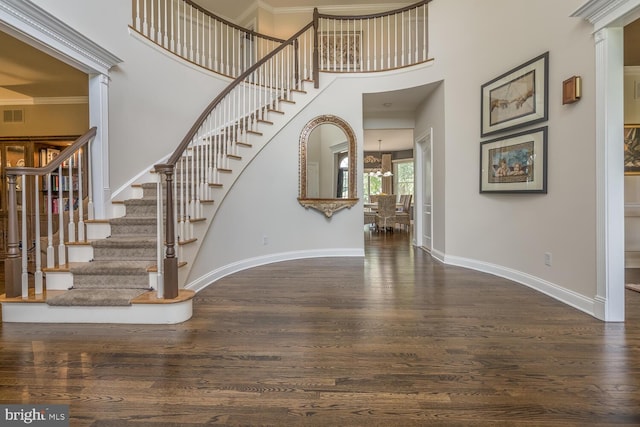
(351, 44)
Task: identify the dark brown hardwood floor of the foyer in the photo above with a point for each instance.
(396, 339)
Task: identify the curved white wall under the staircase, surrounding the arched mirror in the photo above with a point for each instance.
(263, 202)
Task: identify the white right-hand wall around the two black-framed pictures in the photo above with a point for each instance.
(506, 233)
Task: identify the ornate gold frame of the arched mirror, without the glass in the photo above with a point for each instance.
(328, 206)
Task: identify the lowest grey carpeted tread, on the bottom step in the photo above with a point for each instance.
(96, 297)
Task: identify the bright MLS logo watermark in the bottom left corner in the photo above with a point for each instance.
(35, 415)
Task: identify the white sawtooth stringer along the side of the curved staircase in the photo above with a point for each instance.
(277, 120)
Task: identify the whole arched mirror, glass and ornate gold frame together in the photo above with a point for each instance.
(327, 165)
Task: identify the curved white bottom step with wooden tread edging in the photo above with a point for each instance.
(145, 309)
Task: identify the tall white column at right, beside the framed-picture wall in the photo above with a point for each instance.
(609, 299)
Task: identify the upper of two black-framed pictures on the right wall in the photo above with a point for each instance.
(517, 98)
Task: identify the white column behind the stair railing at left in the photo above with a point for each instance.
(99, 117)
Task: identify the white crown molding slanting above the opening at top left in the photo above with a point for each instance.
(35, 26)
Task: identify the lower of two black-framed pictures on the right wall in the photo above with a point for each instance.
(515, 163)
